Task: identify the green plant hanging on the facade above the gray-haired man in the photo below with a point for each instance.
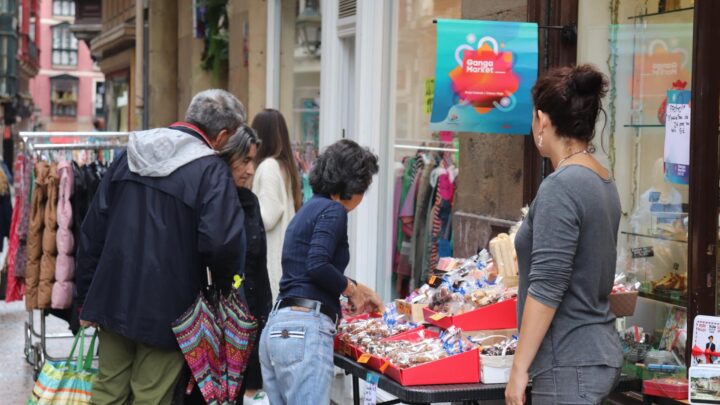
(216, 36)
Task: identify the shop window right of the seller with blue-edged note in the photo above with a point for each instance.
(645, 49)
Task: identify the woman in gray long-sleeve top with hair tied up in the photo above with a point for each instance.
(566, 251)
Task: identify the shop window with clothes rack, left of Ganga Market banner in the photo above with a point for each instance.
(418, 151)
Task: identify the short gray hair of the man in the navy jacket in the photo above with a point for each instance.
(214, 110)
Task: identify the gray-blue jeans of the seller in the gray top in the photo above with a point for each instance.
(574, 385)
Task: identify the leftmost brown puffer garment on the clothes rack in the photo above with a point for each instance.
(35, 235)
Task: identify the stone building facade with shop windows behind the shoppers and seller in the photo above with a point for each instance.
(360, 70)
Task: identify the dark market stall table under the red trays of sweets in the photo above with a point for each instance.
(428, 394)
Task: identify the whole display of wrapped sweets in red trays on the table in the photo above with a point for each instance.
(402, 341)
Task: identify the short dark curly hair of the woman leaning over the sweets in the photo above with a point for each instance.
(344, 168)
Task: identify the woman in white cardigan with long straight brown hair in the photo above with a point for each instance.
(277, 186)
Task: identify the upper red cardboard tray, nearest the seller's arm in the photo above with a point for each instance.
(502, 315)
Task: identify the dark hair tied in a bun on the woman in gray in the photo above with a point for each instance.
(572, 97)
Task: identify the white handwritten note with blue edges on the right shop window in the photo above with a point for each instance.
(677, 137)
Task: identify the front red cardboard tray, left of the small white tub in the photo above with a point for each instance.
(461, 368)
